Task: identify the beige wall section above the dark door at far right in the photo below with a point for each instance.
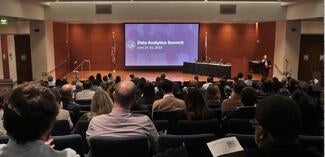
(312, 27)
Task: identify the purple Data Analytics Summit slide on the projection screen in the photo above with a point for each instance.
(160, 44)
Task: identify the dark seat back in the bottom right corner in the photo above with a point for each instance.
(315, 142)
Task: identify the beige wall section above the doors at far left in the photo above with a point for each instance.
(18, 27)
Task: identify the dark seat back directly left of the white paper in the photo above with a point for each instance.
(195, 144)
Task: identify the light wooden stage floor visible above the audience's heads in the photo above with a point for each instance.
(149, 75)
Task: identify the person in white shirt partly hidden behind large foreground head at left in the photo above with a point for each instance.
(63, 114)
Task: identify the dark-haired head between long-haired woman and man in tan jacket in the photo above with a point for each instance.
(213, 96)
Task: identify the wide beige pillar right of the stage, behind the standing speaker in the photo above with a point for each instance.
(287, 47)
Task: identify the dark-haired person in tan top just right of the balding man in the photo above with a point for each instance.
(169, 102)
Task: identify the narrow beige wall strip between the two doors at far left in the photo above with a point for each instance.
(12, 57)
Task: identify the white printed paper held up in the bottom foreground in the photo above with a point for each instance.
(224, 146)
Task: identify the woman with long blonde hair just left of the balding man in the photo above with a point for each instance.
(101, 103)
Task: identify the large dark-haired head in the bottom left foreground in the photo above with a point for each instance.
(30, 113)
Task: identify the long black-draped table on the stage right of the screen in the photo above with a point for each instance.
(208, 69)
